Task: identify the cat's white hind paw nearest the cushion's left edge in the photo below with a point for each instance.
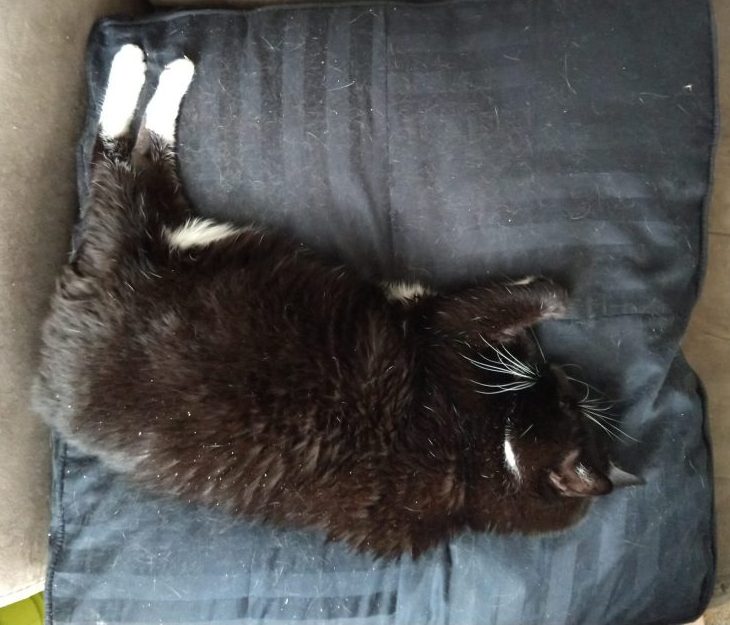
(126, 79)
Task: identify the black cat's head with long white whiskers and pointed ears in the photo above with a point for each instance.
(545, 441)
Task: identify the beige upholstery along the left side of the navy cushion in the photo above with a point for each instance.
(42, 105)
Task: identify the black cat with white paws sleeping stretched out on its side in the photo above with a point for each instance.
(232, 366)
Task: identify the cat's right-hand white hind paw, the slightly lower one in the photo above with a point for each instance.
(164, 106)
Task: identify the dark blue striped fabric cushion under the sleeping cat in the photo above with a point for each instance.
(445, 142)
